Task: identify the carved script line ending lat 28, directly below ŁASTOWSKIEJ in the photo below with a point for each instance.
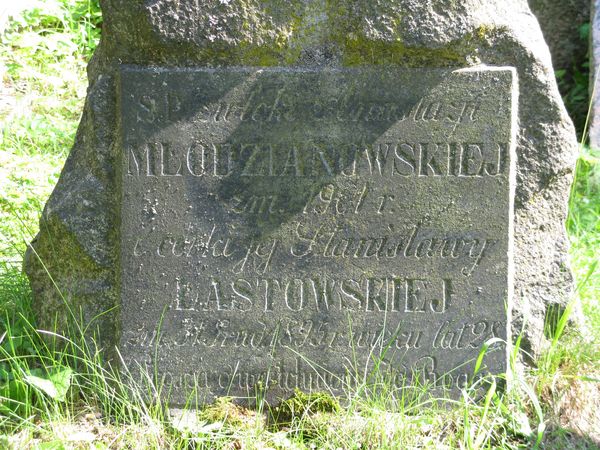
(313, 334)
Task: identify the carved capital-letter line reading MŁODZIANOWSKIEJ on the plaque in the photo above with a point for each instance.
(389, 159)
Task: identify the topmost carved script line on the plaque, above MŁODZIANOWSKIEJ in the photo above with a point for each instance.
(281, 108)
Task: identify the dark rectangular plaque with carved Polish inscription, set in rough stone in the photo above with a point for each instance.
(284, 228)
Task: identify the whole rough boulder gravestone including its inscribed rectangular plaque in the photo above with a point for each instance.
(265, 194)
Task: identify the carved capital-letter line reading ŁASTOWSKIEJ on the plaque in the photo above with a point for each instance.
(415, 295)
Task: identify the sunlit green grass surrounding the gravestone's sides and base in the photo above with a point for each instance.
(54, 397)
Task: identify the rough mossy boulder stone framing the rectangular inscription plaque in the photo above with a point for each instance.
(79, 240)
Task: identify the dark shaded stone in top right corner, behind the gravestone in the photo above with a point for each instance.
(560, 21)
